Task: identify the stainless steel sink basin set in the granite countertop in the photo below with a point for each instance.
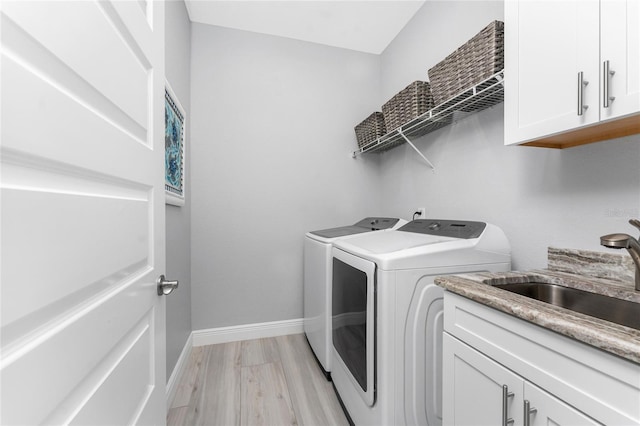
(619, 311)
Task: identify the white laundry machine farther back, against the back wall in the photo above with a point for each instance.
(317, 280)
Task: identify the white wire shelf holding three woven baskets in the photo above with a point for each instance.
(486, 94)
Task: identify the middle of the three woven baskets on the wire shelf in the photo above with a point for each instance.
(408, 104)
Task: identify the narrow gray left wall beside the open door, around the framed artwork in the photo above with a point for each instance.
(178, 219)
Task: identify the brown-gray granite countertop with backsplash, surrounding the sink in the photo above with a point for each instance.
(607, 274)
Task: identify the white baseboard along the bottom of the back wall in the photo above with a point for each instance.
(213, 336)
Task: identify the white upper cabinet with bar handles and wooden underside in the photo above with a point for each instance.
(555, 58)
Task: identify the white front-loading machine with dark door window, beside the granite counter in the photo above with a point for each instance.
(387, 315)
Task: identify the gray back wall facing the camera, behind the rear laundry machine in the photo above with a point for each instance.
(272, 129)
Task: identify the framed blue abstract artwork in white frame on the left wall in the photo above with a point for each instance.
(174, 147)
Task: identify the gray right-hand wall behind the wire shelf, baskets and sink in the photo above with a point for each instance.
(539, 197)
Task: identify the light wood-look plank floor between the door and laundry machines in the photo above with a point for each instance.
(274, 381)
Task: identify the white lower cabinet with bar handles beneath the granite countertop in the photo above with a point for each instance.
(496, 365)
